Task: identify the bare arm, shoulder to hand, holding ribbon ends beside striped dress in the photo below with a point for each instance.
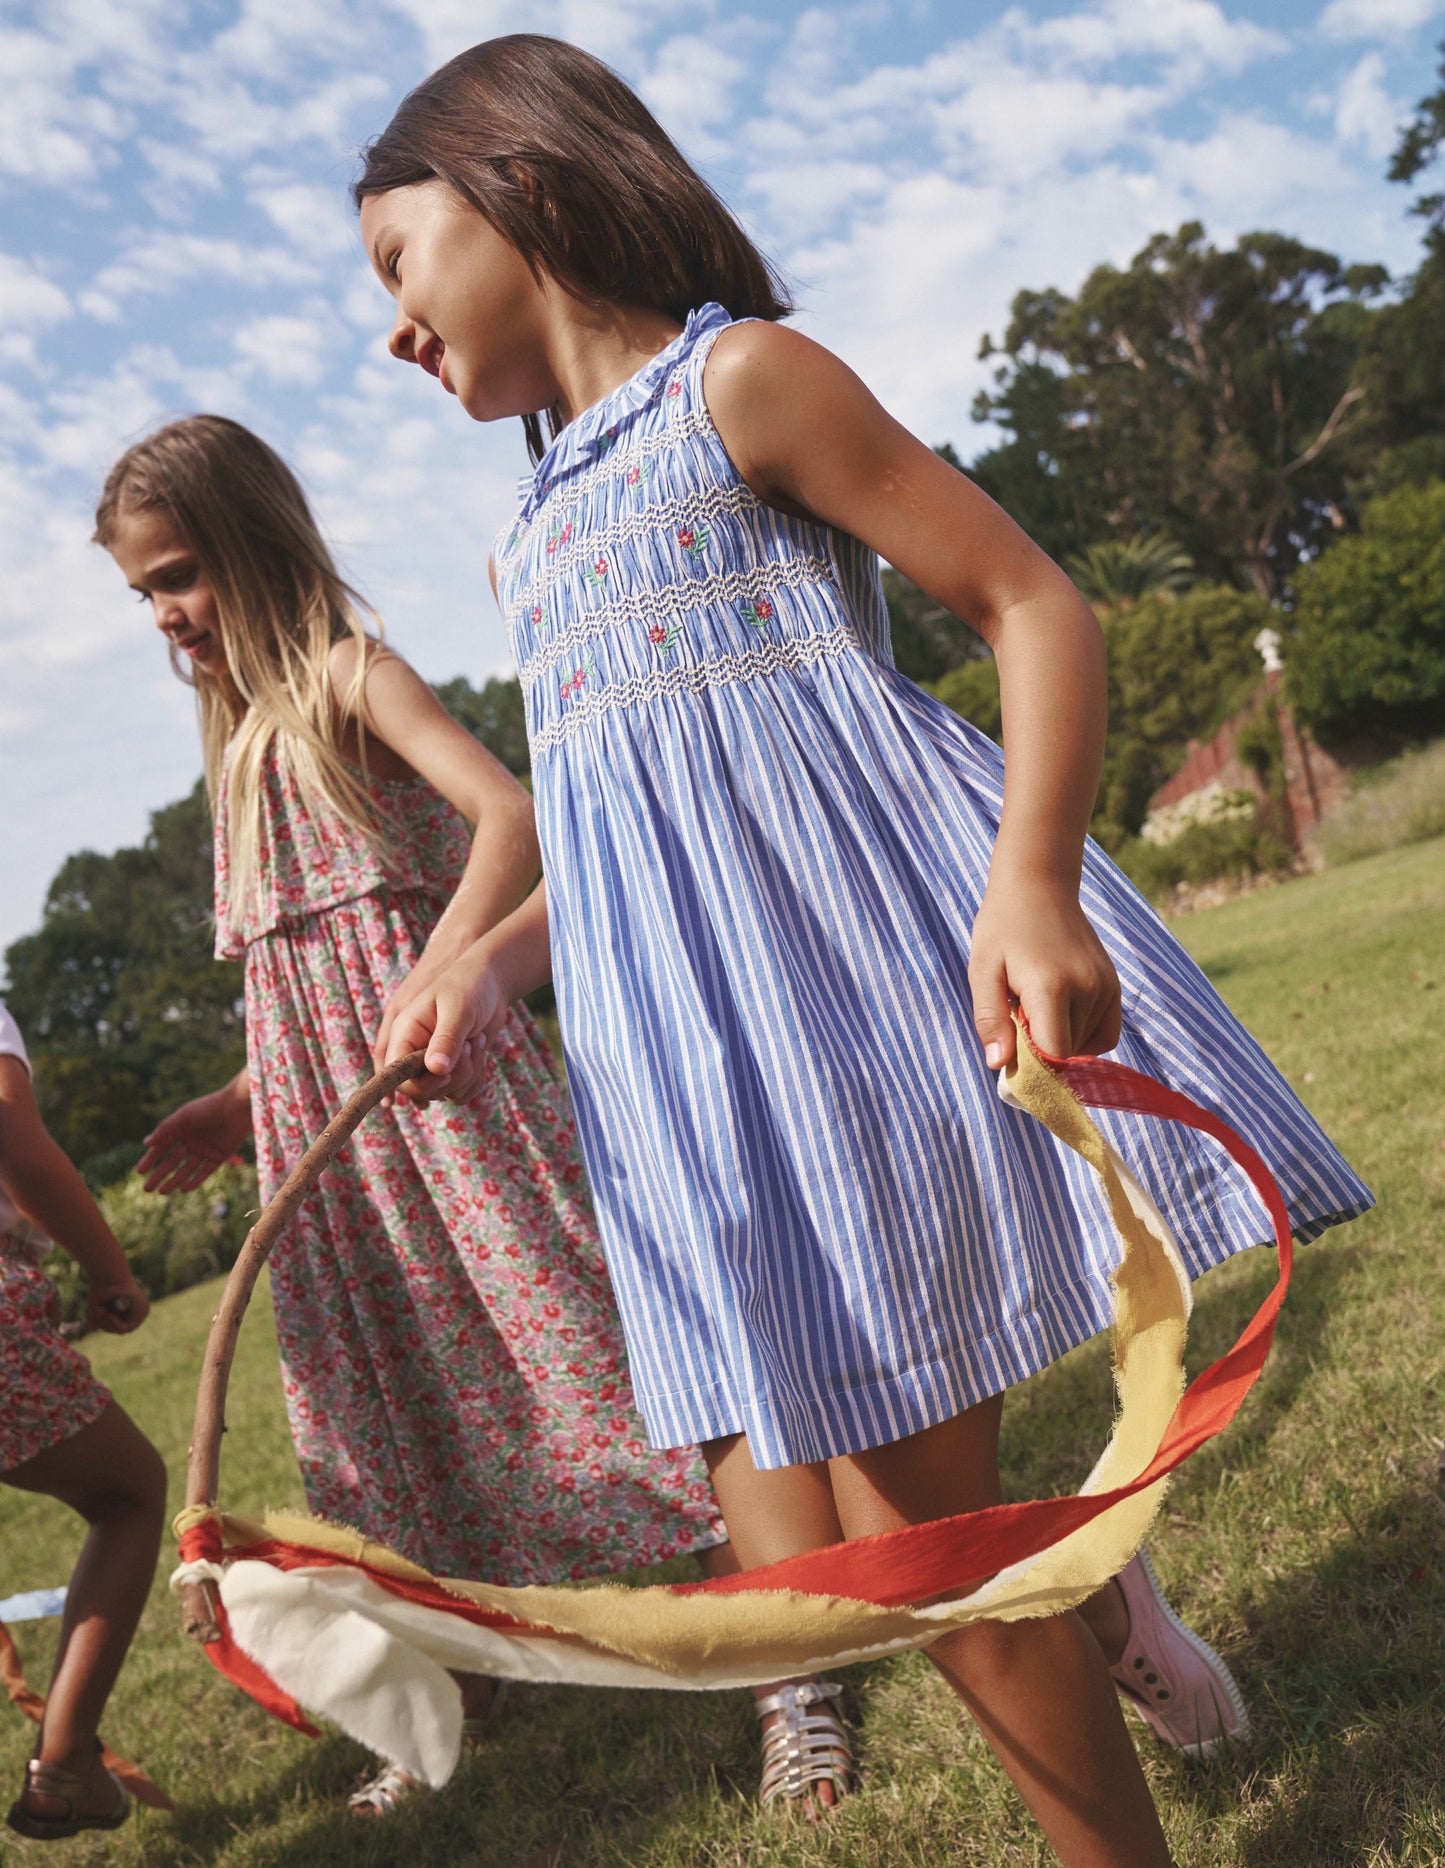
(809, 438)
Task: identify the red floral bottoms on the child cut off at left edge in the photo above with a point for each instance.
(48, 1391)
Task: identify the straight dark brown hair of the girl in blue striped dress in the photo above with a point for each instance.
(580, 177)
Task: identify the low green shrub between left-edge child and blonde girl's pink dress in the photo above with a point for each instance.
(171, 1241)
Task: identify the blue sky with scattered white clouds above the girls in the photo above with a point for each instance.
(176, 236)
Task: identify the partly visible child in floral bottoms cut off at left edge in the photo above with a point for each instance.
(63, 1436)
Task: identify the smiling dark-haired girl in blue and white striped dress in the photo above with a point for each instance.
(791, 898)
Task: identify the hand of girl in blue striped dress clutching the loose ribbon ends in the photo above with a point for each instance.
(1033, 944)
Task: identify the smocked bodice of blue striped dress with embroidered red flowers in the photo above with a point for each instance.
(641, 565)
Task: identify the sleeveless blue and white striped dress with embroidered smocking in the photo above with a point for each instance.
(765, 853)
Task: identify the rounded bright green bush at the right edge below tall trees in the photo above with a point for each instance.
(1369, 627)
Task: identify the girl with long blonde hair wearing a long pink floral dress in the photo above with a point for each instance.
(451, 1350)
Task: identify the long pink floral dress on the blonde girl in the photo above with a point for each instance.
(451, 1348)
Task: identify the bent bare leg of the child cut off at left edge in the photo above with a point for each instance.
(115, 1479)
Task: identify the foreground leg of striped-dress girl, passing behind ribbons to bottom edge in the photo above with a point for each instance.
(1039, 1690)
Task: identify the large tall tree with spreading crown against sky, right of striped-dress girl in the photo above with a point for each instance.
(1198, 391)
